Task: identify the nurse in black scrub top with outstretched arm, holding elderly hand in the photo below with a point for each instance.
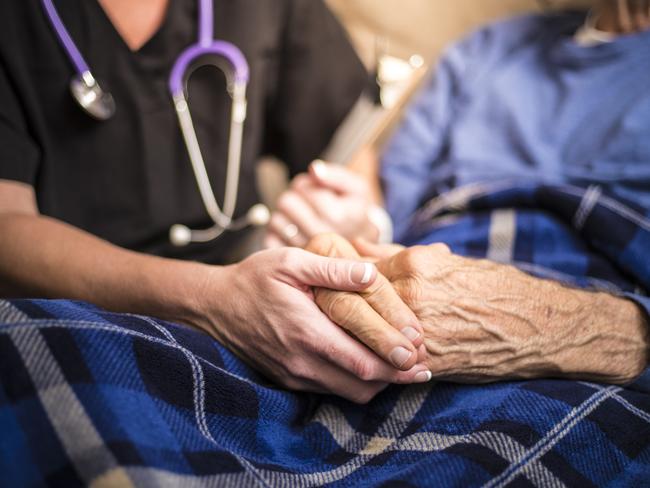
(86, 205)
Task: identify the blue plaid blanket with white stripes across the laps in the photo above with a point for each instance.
(91, 397)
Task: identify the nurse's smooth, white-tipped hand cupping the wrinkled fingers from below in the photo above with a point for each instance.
(263, 309)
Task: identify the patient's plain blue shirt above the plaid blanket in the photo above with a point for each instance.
(520, 99)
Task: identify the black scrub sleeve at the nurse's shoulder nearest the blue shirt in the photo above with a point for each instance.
(321, 77)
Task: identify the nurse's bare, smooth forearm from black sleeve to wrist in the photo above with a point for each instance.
(42, 257)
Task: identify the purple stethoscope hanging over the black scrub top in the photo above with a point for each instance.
(224, 56)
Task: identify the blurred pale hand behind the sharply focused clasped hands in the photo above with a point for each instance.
(327, 199)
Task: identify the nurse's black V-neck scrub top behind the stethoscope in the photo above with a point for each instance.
(129, 179)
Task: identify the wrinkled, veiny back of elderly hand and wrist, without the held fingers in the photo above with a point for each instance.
(485, 321)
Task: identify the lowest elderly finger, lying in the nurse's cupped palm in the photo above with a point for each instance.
(354, 314)
